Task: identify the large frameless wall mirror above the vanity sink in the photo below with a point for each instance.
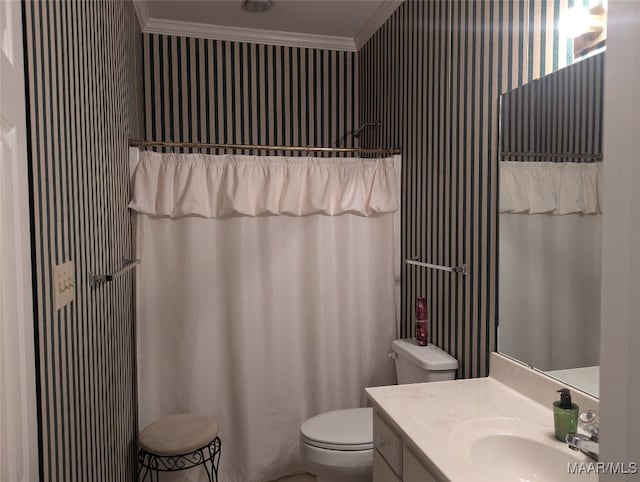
(549, 223)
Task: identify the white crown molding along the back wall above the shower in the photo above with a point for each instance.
(250, 35)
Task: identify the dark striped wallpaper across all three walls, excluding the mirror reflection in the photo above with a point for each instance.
(432, 75)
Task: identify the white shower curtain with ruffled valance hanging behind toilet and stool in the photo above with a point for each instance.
(262, 322)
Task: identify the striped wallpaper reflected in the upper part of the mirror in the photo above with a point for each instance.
(560, 113)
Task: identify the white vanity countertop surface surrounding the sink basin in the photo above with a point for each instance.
(432, 417)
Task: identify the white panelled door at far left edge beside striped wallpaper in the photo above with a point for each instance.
(18, 402)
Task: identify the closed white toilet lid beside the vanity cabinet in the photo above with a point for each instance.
(350, 429)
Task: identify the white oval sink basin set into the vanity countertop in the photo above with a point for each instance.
(508, 449)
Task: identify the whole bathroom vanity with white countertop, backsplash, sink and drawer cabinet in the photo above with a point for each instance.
(495, 428)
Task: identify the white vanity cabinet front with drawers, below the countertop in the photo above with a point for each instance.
(393, 459)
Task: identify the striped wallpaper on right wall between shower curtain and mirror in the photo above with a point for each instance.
(432, 75)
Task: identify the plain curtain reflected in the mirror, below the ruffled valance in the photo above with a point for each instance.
(550, 284)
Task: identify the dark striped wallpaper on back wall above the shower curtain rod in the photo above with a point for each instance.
(200, 90)
